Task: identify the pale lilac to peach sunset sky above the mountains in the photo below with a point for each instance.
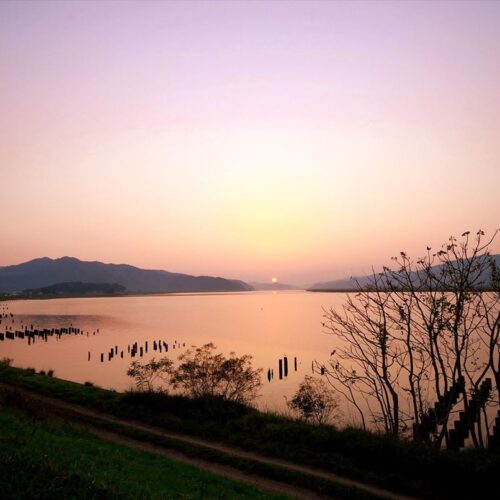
(300, 140)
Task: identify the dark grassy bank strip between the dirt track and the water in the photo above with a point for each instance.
(406, 466)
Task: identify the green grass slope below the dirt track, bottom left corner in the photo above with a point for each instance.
(56, 461)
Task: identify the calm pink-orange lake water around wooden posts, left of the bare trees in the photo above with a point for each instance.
(267, 325)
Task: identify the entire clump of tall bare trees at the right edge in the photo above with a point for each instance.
(421, 345)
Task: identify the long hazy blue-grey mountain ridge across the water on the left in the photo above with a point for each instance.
(44, 272)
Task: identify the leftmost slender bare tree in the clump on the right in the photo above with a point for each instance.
(364, 359)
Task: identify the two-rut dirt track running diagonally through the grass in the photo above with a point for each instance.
(70, 409)
